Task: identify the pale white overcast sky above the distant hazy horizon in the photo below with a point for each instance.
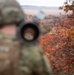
(42, 2)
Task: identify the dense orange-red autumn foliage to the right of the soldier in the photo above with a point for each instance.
(59, 48)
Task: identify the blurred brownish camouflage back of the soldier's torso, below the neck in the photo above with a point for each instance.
(9, 55)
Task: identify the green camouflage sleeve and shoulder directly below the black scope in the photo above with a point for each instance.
(33, 61)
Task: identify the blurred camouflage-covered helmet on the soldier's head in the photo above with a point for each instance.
(10, 12)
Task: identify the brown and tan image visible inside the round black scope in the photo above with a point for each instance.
(29, 34)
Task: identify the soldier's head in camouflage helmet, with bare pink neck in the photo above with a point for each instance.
(11, 16)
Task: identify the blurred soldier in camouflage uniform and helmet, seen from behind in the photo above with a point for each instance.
(17, 58)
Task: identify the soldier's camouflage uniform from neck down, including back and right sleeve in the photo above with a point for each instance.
(21, 59)
